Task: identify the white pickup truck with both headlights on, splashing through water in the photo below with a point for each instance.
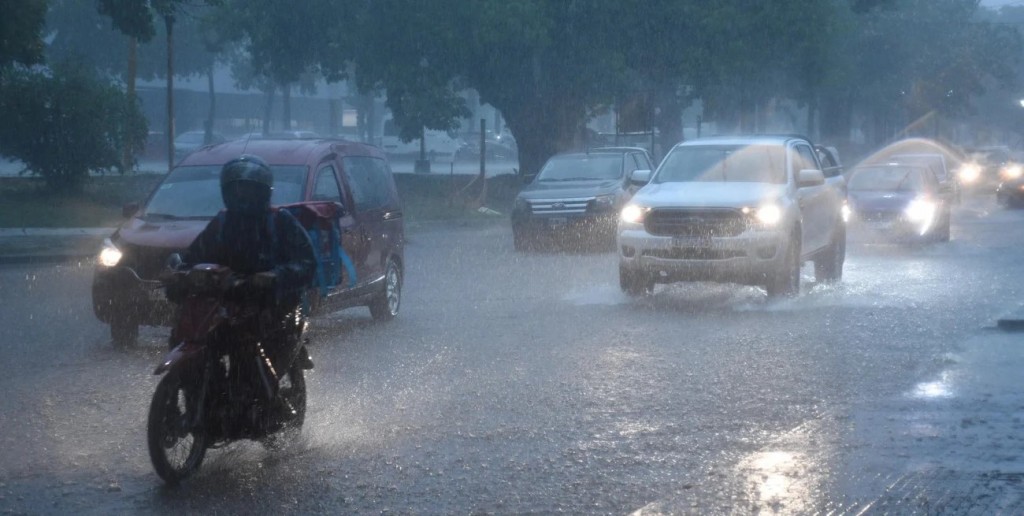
(742, 209)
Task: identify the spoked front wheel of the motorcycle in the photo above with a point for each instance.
(176, 449)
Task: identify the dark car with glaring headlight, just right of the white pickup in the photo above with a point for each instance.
(900, 201)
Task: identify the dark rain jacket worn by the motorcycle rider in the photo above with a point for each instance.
(245, 244)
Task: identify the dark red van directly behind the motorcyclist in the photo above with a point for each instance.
(126, 292)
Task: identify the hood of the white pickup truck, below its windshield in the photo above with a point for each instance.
(708, 195)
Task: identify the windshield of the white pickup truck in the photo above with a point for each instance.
(724, 164)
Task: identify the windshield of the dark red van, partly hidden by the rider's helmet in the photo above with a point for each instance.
(195, 192)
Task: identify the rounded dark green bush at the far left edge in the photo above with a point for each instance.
(68, 123)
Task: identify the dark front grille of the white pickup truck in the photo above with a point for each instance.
(695, 223)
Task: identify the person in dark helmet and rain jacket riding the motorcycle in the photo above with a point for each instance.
(268, 246)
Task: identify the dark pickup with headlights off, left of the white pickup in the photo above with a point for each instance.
(578, 196)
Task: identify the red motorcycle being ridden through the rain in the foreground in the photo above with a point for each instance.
(220, 384)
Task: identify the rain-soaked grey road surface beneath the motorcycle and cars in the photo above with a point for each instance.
(522, 383)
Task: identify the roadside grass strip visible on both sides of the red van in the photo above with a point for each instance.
(25, 202)
